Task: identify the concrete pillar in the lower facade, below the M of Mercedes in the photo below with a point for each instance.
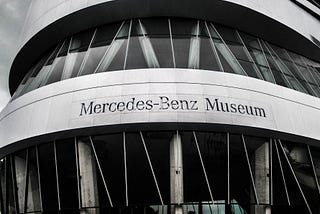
(88, 178)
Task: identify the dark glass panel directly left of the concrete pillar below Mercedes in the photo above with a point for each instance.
(67, 174)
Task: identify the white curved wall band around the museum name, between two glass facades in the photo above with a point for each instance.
(56, 107)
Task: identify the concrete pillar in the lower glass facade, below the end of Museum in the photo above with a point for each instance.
(261, 170)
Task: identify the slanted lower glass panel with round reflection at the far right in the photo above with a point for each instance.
(300, 161)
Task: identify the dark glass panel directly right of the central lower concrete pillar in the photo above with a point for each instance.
(194, 183)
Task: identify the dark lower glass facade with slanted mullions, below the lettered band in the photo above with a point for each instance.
(156, 171)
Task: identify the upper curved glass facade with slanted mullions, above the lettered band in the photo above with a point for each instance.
(172, 43)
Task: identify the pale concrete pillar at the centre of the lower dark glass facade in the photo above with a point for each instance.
(176, 174)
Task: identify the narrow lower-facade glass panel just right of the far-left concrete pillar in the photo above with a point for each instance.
(33, 191)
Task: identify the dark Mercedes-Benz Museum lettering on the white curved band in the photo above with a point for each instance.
(166, 103)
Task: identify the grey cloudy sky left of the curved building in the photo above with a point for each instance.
(12, 16)
